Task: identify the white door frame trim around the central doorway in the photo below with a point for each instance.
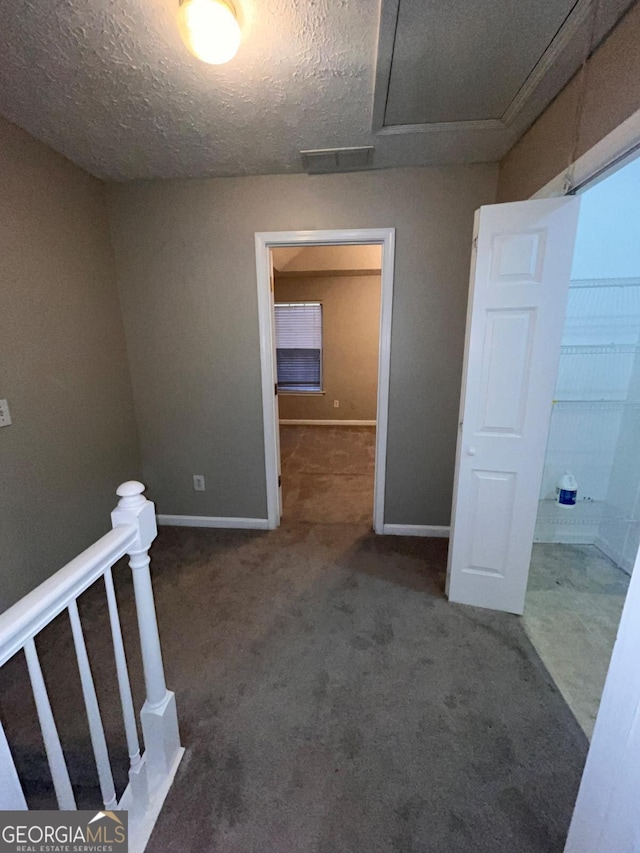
(267, 240)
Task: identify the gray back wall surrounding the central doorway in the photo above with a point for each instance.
(186, 270)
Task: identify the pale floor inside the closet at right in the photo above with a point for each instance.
(572, 611)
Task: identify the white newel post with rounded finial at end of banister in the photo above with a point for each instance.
(158, 716)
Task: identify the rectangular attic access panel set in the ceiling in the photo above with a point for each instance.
(462, 60)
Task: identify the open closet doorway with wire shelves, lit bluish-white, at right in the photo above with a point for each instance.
(585, 543)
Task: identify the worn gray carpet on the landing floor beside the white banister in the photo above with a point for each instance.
(332, 701)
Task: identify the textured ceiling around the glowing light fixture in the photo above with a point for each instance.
(109, 84)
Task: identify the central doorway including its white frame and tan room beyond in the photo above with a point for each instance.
(280, 260)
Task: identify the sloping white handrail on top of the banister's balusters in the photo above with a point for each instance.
(33, 612)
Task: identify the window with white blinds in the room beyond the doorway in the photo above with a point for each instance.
(299, 346)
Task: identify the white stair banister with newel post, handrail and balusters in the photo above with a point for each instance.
(150, 773)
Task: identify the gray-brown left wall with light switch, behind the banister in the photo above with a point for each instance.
(63, 365)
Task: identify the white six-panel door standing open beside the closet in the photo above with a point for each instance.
(520, 271)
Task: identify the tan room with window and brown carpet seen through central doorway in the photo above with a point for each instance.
(327, 325)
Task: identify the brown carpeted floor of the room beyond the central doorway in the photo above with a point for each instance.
(328, 474)
